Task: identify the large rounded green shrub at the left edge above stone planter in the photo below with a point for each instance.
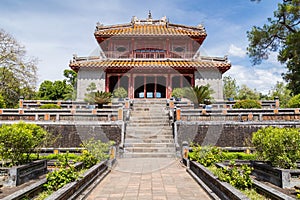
(18, 141)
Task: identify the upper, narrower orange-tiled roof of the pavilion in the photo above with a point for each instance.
(150, 29)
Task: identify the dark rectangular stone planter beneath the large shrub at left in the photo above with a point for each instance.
(18, 175)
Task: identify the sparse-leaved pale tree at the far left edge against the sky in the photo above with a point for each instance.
(17, 72)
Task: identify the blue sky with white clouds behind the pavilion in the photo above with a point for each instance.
(53, 30)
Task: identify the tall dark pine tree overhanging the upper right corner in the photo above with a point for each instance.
(280, 34)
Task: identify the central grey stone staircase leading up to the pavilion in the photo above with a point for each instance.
(148, 133)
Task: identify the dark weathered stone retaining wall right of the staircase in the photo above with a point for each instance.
(223, 134)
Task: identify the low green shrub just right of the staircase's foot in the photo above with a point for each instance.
(206, 155)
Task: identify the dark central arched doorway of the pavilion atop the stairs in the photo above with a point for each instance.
(149, 87)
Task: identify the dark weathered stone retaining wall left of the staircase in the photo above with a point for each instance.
(67, 136)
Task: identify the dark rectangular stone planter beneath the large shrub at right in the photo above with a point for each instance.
(284, 178)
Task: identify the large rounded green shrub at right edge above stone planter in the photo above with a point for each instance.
(280, 146)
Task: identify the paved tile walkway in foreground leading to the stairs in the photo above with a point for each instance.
(148, 178)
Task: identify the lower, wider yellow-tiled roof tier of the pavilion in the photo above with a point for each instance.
(147, 64)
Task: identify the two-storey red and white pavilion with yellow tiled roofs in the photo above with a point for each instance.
(149, 58)
